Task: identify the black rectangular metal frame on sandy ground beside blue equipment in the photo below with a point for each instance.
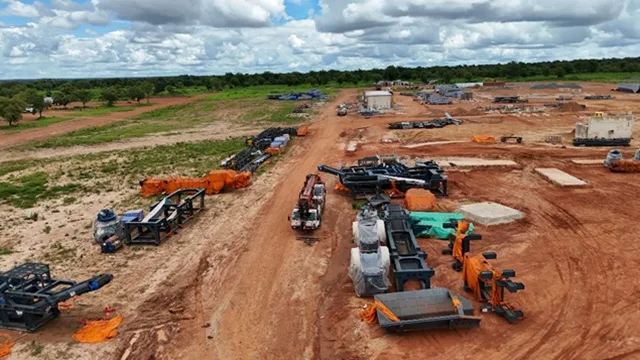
(165, 217)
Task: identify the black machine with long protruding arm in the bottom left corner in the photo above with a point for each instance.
(29, 296)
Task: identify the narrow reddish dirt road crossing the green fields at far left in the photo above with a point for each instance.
(23, 137)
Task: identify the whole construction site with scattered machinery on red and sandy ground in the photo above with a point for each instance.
(476, 221)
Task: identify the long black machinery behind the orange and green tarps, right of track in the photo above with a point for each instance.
(390, 176)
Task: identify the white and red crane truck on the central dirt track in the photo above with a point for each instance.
(307, 213)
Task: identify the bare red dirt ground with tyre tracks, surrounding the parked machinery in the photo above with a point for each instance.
(268, 296)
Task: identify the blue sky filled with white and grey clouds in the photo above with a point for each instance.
(106, 38)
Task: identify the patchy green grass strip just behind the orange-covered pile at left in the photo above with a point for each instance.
(24, 184)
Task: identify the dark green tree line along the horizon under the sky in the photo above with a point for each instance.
(113, 89)
